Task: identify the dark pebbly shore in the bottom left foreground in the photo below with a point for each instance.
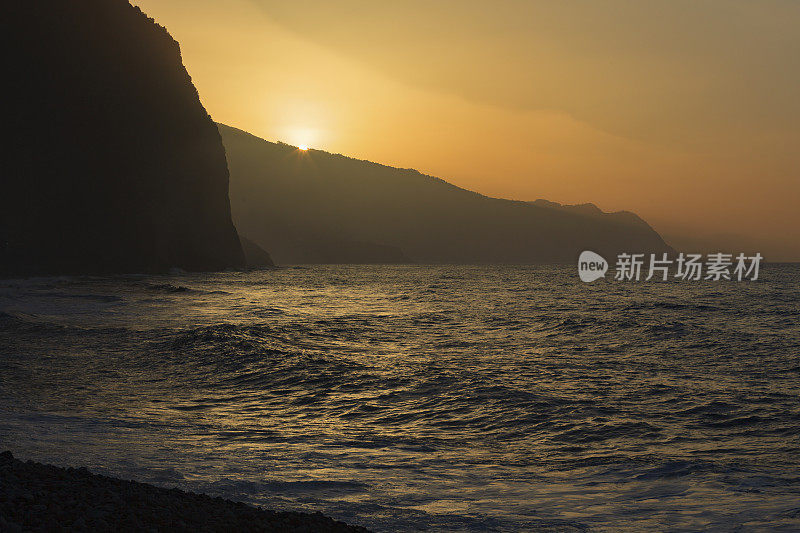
(38, 497)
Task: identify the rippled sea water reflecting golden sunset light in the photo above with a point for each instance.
(406, 398)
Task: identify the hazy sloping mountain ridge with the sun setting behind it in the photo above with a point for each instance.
(313, 206)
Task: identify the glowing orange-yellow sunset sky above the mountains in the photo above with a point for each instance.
(686, 112)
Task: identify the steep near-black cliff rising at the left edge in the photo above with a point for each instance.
(113, 164)
